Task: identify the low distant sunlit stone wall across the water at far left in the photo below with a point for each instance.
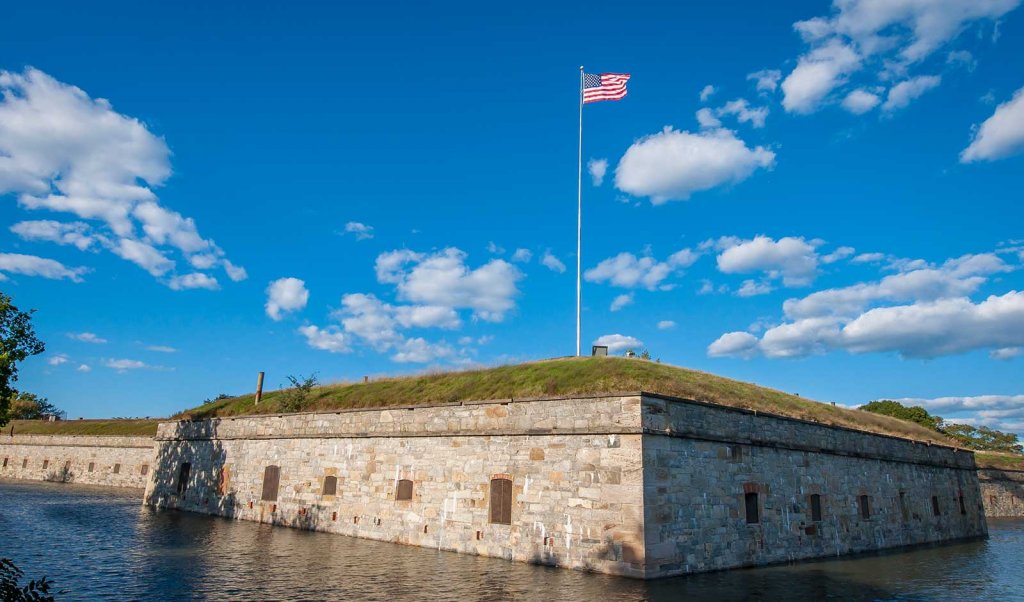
(117, 462)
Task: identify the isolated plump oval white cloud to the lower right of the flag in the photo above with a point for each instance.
(673, 165)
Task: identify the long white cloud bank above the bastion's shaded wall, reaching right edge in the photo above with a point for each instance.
(935, 317)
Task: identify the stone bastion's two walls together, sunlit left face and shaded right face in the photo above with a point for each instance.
(631, 485)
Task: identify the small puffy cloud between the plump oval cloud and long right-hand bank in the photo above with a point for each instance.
(792, 260)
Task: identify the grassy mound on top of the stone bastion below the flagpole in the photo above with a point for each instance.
(570, 377)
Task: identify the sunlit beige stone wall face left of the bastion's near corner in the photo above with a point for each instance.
(575, 499)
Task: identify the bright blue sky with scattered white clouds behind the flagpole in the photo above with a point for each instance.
(821, 199)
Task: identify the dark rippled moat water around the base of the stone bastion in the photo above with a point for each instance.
(102, 545)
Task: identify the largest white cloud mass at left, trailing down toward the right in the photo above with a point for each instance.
(63, 151)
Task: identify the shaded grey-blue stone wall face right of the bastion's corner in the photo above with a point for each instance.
(727, 488)
